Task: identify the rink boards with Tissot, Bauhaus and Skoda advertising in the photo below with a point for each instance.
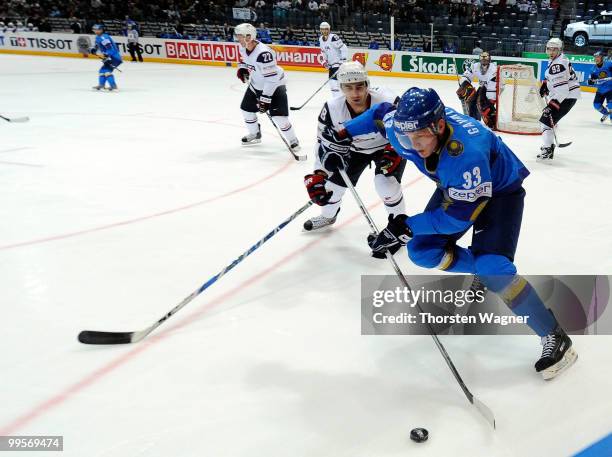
(301, 58)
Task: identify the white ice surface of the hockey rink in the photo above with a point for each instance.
(115, 206)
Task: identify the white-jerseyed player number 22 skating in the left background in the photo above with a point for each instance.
(266, 90)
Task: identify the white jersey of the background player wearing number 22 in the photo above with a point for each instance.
(265, 74)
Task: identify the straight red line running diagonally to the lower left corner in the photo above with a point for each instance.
(90, 379)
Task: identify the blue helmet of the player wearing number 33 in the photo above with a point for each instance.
(418, 109)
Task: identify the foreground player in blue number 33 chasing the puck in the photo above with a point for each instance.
(479, 185)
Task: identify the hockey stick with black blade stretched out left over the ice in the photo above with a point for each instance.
(96, 337)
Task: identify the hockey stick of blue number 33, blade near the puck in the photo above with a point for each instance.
(480, 406)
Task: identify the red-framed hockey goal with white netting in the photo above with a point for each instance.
(519, 105)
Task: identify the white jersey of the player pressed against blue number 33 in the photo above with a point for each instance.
(337, 111)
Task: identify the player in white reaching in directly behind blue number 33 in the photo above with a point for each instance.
(326, 187)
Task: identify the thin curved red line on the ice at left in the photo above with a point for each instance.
(150, 216)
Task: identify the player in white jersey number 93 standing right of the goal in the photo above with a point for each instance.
(561, 89)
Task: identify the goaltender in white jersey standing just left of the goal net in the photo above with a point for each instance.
(481, 102)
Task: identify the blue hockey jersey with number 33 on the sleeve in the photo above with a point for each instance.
(472, 166)
